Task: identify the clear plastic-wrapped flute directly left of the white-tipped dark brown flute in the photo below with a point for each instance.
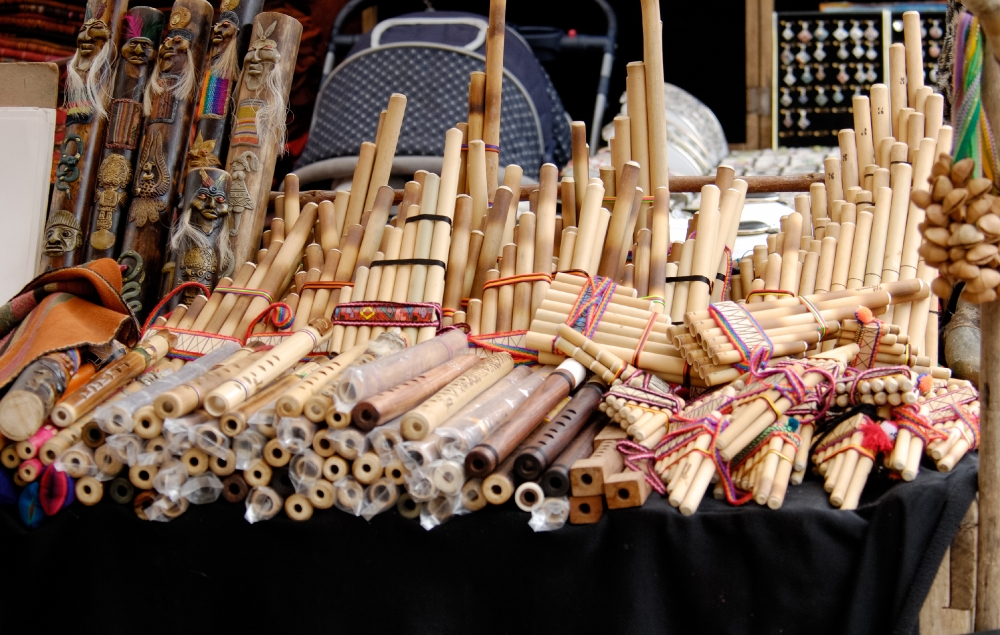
(460, 434)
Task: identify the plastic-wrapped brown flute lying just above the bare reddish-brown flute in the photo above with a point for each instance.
(363, 381)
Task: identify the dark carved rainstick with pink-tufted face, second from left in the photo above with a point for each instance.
(141, 30)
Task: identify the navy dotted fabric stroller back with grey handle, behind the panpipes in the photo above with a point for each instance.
(428, 58)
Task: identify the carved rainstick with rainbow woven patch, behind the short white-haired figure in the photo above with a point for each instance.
(231, 36)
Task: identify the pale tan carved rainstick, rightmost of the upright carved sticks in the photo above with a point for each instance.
(258, 136)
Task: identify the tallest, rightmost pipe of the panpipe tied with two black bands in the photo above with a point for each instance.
(441, 240)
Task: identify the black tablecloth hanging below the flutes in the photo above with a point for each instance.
(806, 568)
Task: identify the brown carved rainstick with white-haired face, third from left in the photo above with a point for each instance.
(168, 103)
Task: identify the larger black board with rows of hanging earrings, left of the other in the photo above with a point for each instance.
(821, 62)
